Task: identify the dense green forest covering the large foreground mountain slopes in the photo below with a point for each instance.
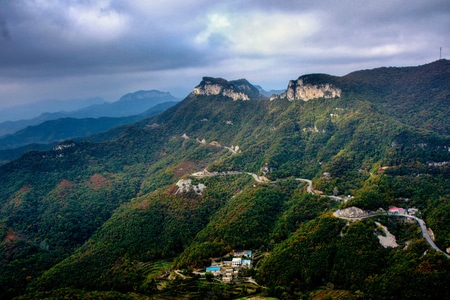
(104, 218)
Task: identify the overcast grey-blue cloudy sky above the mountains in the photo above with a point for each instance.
(65, 49)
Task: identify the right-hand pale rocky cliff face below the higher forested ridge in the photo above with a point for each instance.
(301, 90)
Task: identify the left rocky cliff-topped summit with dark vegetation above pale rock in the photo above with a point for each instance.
(237, 90)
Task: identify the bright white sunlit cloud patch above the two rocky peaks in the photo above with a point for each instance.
(260, 33)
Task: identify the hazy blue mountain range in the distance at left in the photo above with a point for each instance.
(48, 129)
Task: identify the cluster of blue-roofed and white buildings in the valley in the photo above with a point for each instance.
(228, 267)
